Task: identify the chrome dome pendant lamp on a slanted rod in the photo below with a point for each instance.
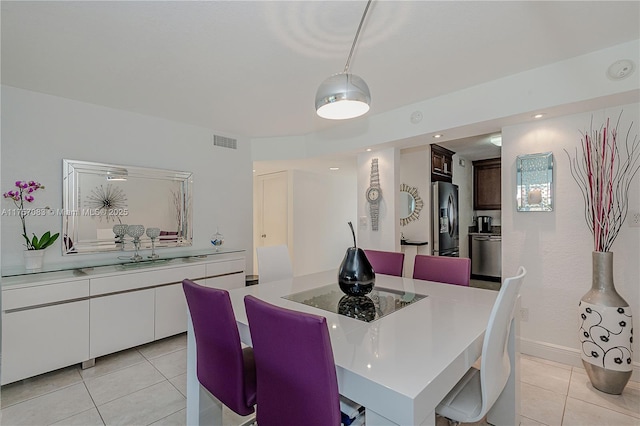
(344, 95)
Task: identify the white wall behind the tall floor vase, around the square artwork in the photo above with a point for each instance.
(556, 246)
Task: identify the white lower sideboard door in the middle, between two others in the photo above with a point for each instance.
(121, 321)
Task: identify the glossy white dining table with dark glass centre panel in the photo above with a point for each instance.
(399, 366)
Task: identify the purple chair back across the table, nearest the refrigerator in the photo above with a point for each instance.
(443, 269)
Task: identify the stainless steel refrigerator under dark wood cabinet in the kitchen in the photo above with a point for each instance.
(444, 229)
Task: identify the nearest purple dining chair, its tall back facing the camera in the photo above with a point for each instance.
(296, 372)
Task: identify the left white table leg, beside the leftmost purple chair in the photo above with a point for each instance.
(202, 407)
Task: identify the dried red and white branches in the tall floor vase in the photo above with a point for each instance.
(604, 171)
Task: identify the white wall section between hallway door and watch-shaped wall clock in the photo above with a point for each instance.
(323, 204)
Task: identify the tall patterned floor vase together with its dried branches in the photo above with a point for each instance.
(604, 167)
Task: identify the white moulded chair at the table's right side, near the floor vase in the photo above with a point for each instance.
(474, 395)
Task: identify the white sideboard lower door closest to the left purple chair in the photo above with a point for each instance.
(171, 311)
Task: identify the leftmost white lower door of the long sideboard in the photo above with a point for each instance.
(38, 340)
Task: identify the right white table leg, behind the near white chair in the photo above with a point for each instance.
(506, 410)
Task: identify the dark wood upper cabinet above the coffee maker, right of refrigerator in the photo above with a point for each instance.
(487, 184)
